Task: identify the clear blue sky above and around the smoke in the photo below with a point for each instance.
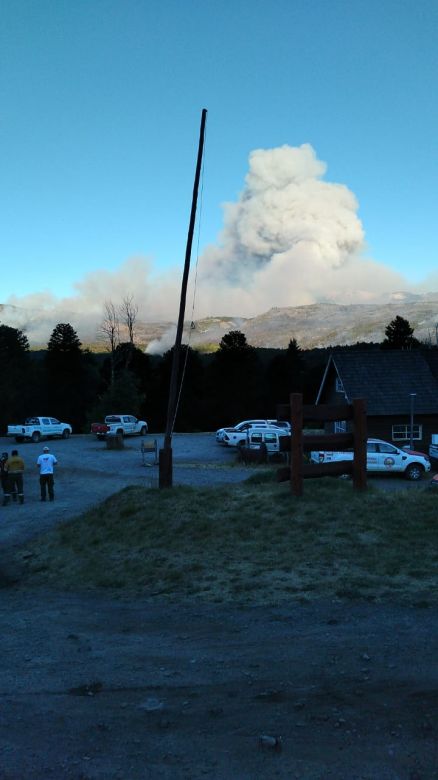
(100, 109)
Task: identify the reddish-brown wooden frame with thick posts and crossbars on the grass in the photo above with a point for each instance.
(332, 442)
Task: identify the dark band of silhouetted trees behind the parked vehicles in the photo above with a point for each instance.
(68, 381)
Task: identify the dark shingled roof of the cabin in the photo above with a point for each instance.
(386, 378)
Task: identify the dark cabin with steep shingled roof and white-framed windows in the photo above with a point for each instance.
(400, 388)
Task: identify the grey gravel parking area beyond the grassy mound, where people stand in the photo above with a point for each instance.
(88, 472)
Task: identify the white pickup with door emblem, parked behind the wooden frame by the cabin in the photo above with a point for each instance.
(383, 457)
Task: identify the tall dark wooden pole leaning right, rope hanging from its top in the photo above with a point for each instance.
(165, 456)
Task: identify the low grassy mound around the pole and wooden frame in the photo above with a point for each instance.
(251, 543)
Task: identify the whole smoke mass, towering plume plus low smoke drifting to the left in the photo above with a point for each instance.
(291, 238)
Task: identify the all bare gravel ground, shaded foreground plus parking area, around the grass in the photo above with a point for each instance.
(97, 687)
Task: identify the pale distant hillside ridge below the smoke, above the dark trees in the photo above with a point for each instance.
(315, 325)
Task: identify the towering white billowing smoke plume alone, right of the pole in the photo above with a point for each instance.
(291, 239)
